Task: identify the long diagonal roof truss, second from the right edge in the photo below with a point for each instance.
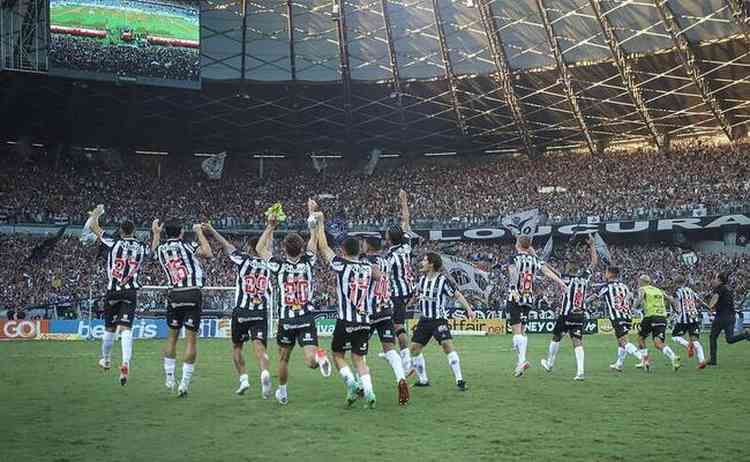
(626, 72)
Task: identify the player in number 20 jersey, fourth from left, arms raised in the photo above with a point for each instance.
(293, 276)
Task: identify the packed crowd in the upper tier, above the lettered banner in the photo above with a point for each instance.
(640, 184)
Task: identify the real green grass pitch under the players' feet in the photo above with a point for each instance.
(57, 406)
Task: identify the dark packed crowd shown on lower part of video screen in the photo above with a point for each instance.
(159, 62)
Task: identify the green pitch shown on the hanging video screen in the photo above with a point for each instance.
(112, 19)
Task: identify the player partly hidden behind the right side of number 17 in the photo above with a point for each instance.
(381, 320)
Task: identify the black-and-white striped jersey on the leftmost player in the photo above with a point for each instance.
(124, 262)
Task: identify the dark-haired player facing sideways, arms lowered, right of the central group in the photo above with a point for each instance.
(433, 292)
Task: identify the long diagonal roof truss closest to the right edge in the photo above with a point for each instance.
(690, 63)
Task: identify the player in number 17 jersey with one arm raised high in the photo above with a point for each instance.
(355, 281)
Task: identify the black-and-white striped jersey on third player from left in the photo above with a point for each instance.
(254, 289)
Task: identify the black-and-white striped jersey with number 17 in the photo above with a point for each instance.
(355, 288)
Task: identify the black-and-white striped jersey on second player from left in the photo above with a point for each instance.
(179, 260)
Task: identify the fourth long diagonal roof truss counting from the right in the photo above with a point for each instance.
(504, 77)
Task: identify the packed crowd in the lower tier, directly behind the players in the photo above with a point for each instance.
(71, 269)
